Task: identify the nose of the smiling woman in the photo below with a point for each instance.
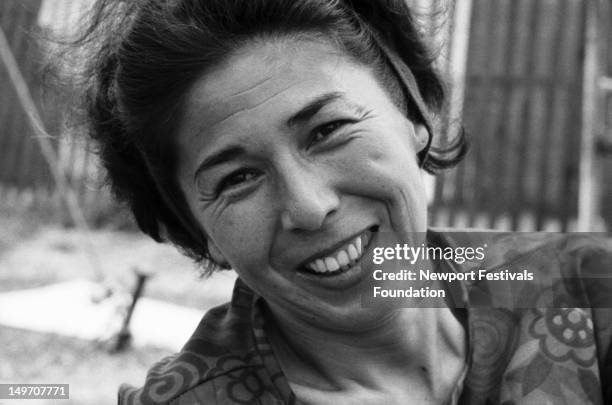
(307, 198)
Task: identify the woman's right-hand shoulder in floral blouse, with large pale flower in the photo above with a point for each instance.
(555, 326)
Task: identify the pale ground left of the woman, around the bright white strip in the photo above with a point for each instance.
(36, 252)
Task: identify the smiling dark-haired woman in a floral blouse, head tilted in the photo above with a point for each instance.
(282, 139)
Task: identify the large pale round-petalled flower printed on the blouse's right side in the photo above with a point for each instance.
(565, 334)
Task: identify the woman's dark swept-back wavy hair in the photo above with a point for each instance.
(143, 55)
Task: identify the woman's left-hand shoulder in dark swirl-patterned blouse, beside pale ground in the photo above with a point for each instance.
(221, 350)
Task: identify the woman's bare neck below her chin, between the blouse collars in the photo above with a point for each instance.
(409, 340)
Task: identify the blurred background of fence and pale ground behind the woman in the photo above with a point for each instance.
(85, 299)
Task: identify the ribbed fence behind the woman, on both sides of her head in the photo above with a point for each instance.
(518, 87)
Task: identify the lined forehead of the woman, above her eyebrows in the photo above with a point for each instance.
(279, 73)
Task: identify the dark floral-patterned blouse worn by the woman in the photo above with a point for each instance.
(532, 353)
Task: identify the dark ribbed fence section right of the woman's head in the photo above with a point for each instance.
(523, 111)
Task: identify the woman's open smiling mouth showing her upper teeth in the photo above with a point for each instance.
(341, 259)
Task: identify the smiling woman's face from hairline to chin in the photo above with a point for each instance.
(291, 155)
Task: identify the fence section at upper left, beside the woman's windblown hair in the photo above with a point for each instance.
(25, 171)
